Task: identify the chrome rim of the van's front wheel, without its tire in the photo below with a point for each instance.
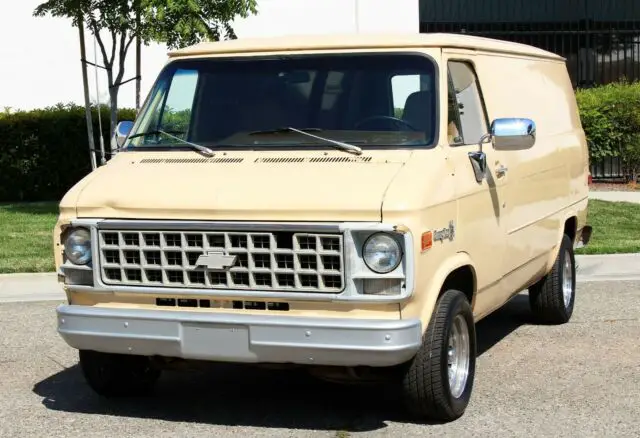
(458, 356)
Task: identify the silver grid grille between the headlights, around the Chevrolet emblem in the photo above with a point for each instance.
(265, 261)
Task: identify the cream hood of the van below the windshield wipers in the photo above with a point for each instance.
(251, 186)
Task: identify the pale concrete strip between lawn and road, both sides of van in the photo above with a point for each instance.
(44, 287)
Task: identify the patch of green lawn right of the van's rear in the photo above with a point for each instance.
(616, 228)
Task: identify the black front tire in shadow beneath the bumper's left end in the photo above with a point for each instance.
(118, 375)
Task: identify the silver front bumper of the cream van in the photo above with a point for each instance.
(227, 337)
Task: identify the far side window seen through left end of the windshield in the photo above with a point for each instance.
(176, 113)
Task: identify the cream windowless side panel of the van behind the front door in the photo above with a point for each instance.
(547, 179)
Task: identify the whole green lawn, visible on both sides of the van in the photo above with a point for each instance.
(27, 229)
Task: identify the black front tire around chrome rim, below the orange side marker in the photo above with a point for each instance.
(426, 388)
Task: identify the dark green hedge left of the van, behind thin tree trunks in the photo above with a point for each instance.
(45, 152)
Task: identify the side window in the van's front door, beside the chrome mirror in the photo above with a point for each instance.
(467, 116)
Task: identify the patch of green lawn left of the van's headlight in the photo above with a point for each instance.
(26, 237)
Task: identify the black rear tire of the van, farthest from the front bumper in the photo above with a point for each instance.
(547, 298)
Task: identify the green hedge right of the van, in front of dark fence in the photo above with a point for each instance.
(610, 116)
